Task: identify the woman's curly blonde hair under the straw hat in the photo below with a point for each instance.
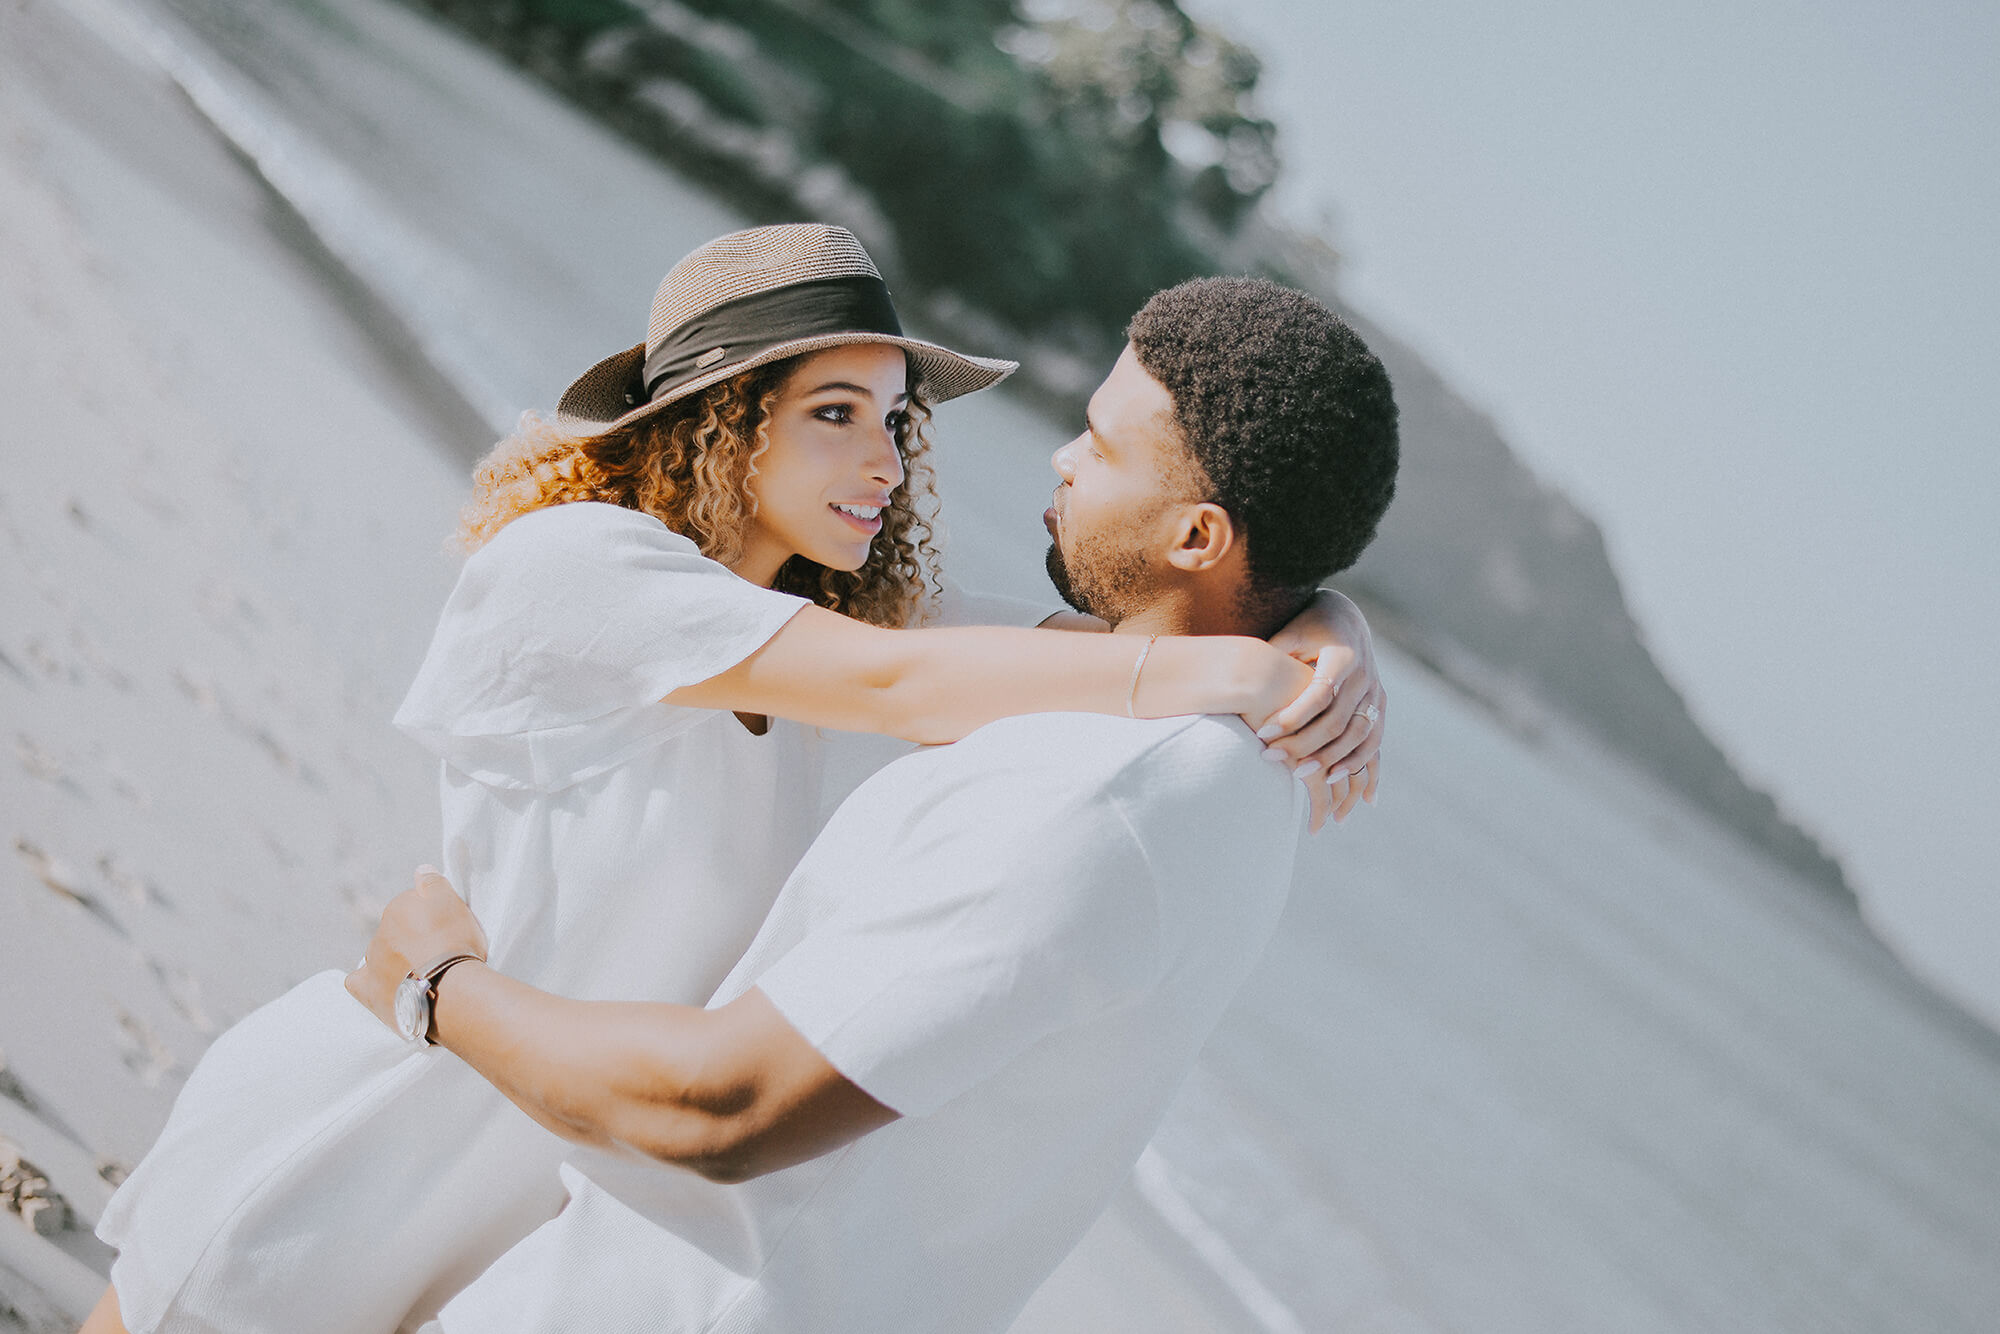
(691, 469)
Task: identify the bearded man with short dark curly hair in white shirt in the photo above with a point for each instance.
(987, 979)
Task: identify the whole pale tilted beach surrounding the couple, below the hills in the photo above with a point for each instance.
(1537, 1049)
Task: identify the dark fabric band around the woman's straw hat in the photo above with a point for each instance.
(751, 325)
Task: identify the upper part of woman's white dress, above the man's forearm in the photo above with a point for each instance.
(587, 821)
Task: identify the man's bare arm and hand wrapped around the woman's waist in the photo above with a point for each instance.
(729, 1093)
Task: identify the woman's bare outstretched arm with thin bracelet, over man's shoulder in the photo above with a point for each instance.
(941, 685)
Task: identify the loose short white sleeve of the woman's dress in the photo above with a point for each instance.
(565, 635)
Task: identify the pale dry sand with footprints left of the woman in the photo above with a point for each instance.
(221, 527)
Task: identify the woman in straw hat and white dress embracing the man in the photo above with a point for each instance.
(733, 513)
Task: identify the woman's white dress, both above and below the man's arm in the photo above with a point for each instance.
(321, 1175)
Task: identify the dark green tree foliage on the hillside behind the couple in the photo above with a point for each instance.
(1049, 163)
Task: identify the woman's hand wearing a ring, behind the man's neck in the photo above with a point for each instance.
(1333, 733)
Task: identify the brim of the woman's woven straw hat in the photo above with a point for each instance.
(601, 399)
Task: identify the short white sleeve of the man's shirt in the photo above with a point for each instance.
(971, 945)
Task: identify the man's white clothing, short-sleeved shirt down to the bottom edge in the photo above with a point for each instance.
(1021, 943)
